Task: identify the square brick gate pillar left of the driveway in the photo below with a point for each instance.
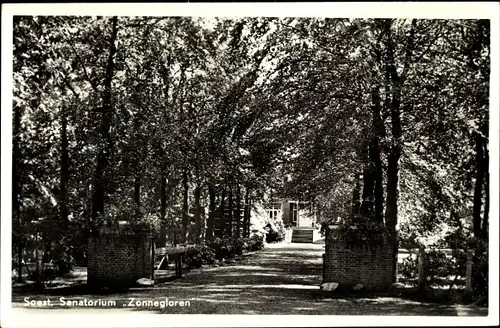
(119, 258)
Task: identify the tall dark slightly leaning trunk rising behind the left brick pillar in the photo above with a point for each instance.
(100, 184)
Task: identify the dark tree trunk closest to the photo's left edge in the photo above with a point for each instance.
(17, 167)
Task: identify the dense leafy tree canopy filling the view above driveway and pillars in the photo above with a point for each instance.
(183, 123)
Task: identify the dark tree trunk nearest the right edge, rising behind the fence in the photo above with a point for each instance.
(478, 187)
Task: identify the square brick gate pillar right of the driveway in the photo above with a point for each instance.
(355, 256)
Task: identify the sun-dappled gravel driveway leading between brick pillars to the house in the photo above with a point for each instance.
(282, 279)
